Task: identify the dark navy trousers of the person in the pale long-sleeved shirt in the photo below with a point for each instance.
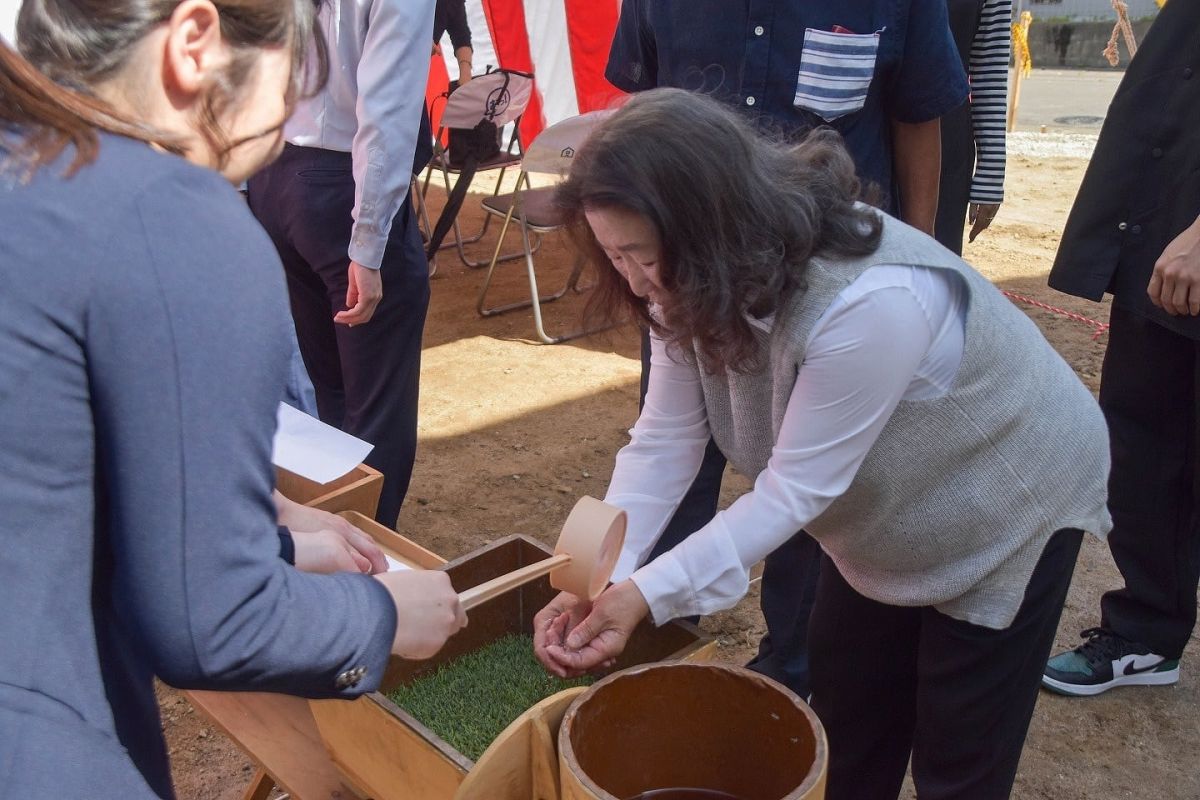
(367, 377)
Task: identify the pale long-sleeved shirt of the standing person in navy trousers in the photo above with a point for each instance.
(371, 107)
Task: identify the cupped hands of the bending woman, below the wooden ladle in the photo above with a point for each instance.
(573, 637)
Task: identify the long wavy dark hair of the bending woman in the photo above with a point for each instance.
(739, 216)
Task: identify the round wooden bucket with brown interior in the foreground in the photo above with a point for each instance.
(705, 731)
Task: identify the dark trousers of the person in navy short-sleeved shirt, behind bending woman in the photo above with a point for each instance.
(790, 576)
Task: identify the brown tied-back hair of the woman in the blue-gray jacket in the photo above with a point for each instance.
(69, 47)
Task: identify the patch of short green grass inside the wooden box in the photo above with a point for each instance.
(470, 701)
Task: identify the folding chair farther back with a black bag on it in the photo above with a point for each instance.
(501, 98)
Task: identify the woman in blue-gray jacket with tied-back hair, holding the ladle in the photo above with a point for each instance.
(143, 352)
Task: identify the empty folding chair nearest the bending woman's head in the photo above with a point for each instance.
(535, 212)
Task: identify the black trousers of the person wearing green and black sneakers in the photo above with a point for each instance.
(1149, 393)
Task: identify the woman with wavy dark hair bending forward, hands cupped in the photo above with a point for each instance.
(883, 395)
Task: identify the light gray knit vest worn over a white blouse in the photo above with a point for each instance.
(955, 503)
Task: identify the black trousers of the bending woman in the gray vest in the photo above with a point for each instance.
(890, 683)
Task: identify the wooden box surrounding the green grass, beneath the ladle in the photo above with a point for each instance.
(387, 755)
